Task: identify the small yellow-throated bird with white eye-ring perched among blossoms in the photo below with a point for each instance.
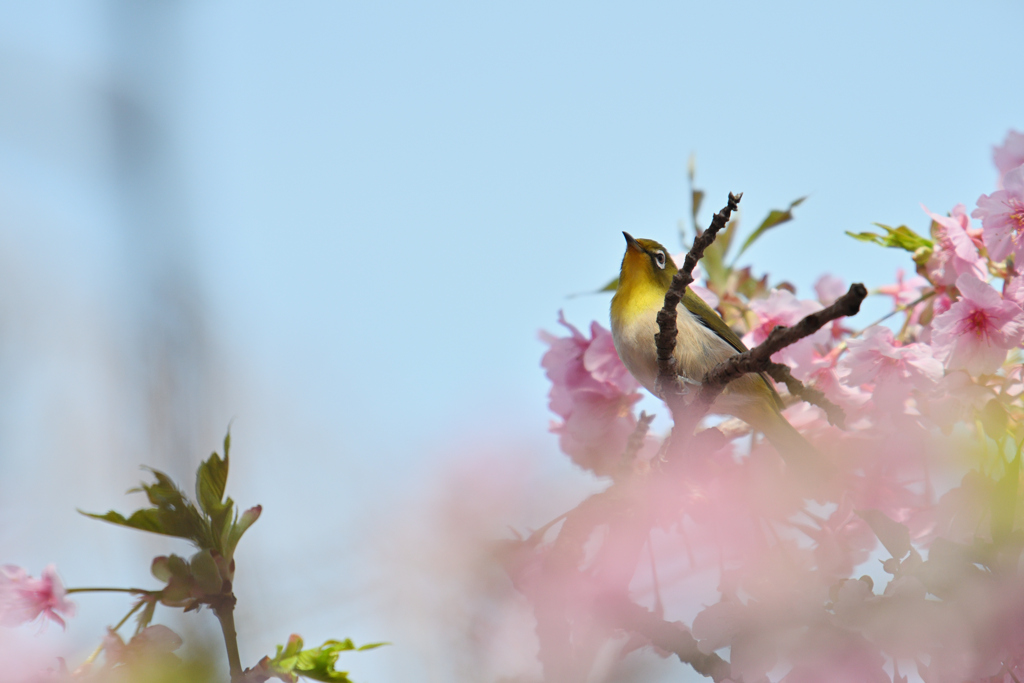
(705, 340)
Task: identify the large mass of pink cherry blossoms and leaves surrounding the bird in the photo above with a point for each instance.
(769, 583)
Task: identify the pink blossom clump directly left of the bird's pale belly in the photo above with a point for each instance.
(593, 394)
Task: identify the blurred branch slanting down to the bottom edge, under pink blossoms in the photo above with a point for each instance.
(667, 636)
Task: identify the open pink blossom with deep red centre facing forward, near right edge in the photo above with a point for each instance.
(978, 330)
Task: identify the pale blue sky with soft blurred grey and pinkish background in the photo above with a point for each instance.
(343, 225)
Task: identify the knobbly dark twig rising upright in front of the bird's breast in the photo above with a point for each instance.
(668, 379)
